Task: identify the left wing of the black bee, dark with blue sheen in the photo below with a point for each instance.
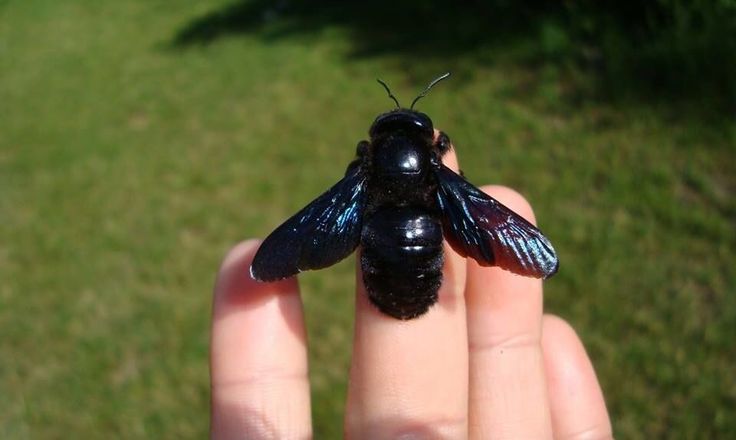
(321, 234)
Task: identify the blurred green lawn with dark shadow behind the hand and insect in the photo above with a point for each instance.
(139, 140)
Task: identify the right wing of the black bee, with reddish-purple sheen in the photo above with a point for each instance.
(477, 225)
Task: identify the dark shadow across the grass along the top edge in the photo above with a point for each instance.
(671, 54)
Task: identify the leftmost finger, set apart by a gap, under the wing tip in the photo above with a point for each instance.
(258, 359)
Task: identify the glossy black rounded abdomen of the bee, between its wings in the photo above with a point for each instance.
(402, 260)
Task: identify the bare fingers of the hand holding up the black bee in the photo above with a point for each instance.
(492, 365)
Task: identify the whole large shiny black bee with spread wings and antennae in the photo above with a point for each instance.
(397, 201)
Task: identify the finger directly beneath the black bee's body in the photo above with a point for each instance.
(410, 377)
